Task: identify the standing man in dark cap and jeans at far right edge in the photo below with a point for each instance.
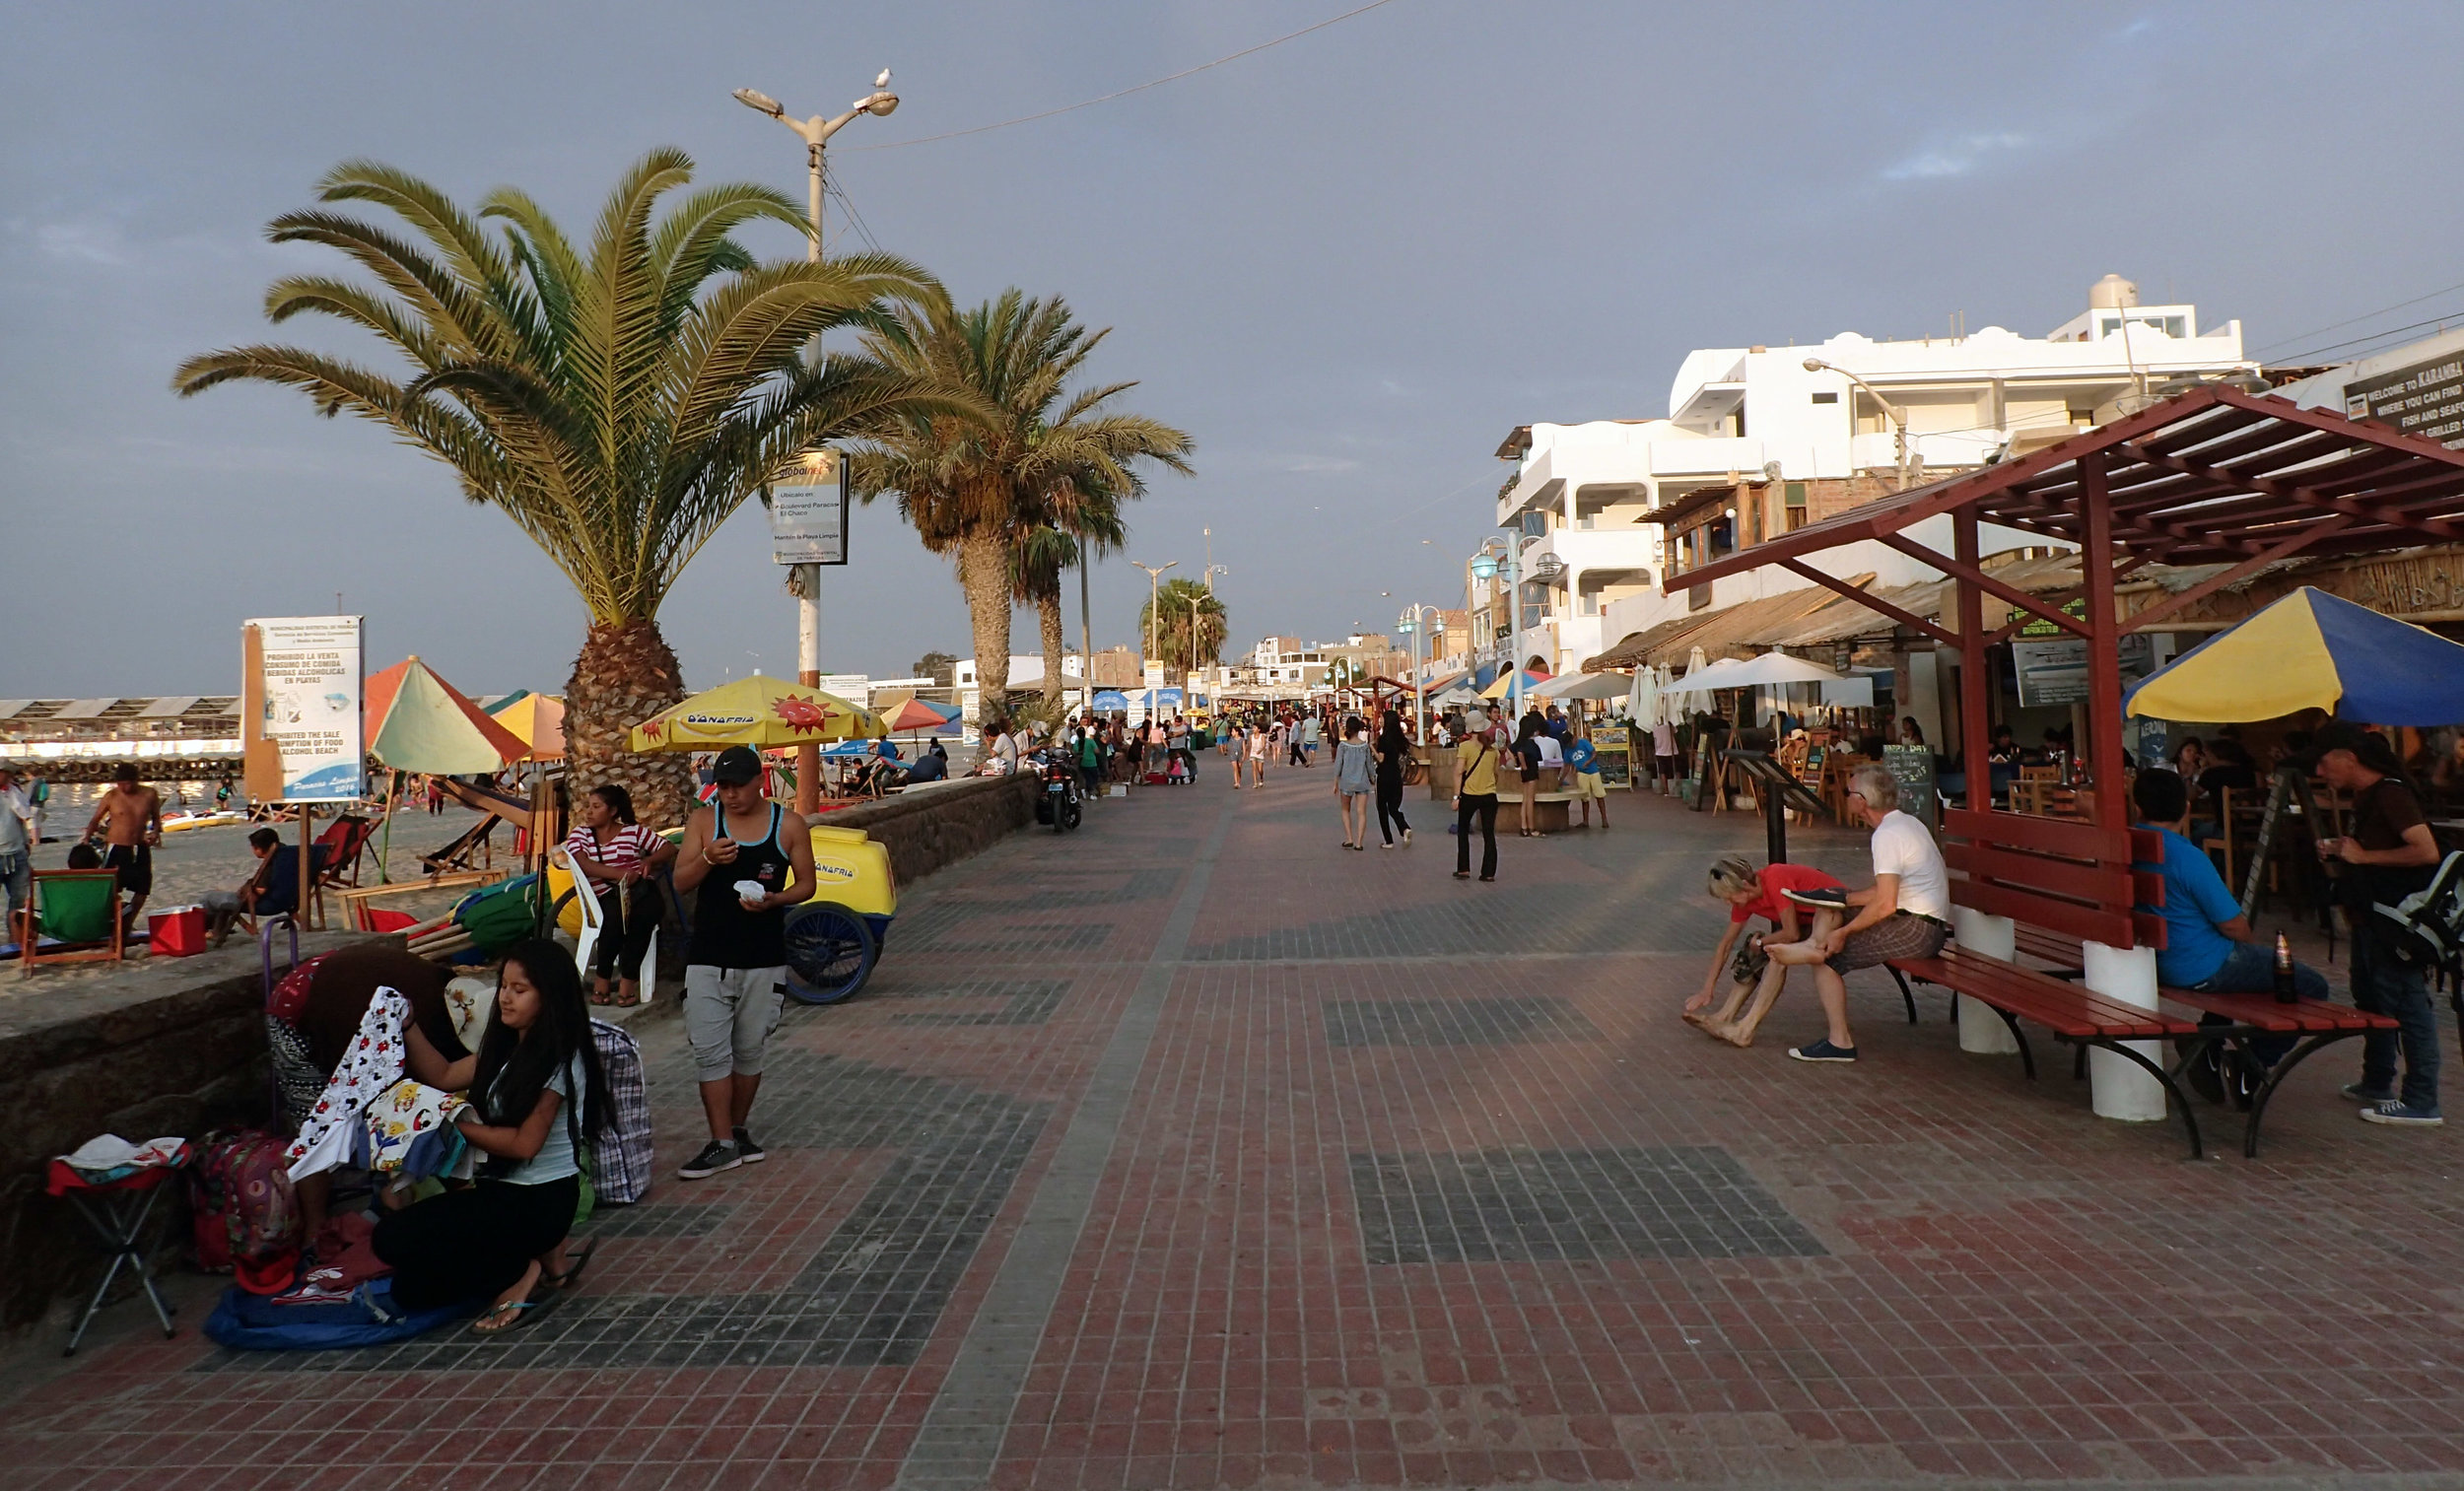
(2389, 856)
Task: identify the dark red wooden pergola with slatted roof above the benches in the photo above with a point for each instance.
(2211, 477)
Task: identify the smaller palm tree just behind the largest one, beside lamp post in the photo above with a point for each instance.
(975, 487)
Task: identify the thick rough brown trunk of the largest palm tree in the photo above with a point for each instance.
(622, 676)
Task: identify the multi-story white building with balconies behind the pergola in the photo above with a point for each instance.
(1763, 423)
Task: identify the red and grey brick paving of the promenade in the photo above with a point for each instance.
(1199, 1152)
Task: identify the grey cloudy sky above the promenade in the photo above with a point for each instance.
(1347, 265)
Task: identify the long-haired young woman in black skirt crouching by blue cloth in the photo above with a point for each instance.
(538, 1100)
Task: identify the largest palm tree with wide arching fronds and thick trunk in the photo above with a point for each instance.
(617, 400)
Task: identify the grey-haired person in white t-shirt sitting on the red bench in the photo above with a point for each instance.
(1903, 916)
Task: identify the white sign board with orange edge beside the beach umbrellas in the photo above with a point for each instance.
(302, 713)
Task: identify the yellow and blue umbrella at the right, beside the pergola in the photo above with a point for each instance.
(2312, 652)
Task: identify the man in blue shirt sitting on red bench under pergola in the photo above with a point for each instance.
(2209, 945)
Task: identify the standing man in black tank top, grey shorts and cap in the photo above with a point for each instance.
(745, 861)
